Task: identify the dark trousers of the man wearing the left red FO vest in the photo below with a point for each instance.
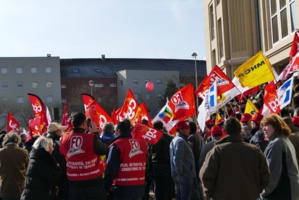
(90, 193)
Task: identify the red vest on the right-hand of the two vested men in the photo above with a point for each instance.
(133, 162)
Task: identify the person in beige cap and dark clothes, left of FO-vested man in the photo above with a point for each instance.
(55, 131)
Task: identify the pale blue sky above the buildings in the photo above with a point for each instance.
(170, 29)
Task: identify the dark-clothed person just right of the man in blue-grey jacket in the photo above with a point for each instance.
(196, 143)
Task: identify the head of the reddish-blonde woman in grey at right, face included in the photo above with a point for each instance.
(274, 126)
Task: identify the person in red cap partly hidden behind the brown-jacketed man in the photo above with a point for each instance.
(216, 133)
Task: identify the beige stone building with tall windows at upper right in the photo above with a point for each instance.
(235, 30)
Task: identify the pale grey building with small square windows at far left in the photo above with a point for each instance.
(22, 75)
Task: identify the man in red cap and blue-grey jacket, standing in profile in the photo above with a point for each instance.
(182, 163)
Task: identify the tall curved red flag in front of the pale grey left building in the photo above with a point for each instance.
(40, 112)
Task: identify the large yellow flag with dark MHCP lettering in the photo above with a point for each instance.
(255, 71)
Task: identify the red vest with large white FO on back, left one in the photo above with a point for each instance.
(81, 162)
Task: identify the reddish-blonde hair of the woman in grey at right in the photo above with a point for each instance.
(279, 125)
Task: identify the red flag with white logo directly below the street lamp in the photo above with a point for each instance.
(184, 103)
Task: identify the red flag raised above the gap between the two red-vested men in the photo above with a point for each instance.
(97, 114)
